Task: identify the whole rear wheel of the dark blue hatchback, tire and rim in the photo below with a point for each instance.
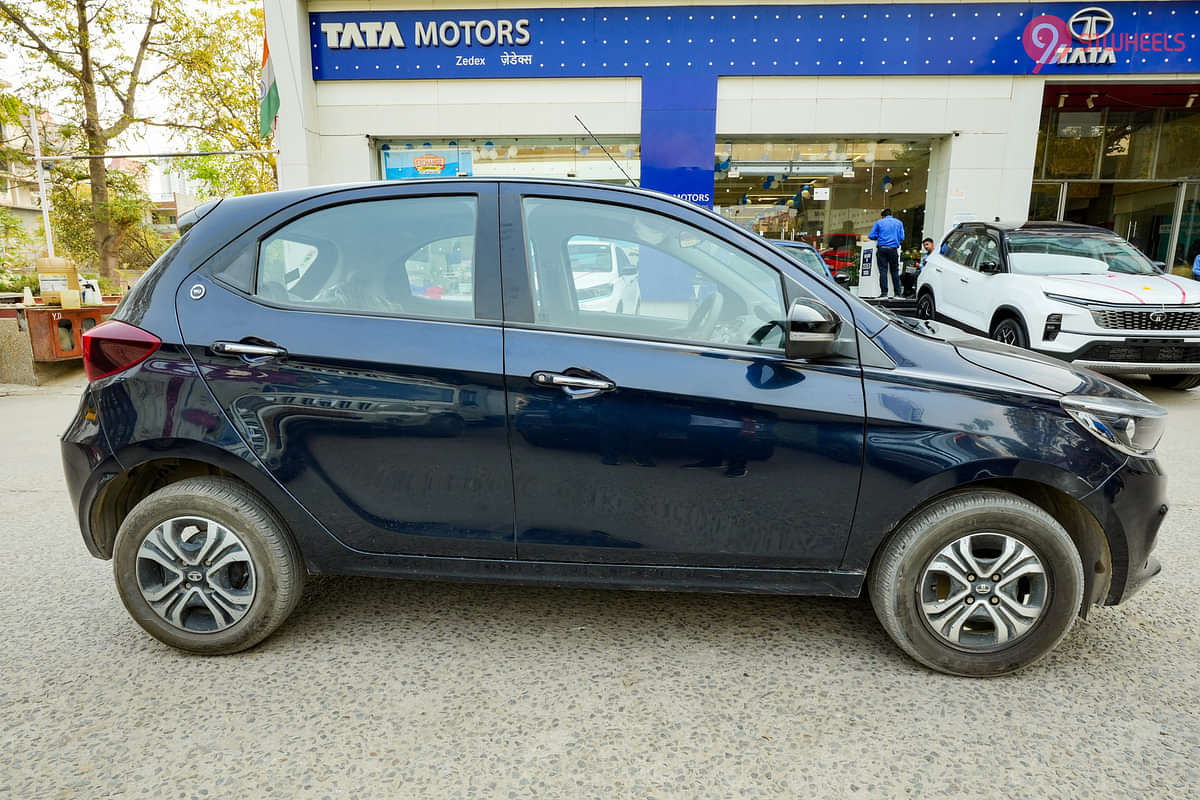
(205, 566)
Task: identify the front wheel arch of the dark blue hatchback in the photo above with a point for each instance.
(1083, 527)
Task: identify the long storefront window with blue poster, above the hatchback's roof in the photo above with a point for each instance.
(579, 158)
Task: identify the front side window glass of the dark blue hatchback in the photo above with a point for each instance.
(617, 270)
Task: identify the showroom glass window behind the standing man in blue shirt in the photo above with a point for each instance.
(825, 193)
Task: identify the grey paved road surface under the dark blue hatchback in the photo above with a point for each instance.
(392, 689)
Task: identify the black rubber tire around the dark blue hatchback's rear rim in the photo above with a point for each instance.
(279, 572)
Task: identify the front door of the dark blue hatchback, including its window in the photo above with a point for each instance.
(677, 435)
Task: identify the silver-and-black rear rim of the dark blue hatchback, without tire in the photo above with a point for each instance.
(196, 575)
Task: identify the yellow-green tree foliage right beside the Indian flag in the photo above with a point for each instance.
(215, 92)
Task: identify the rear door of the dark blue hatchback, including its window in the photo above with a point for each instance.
(355, 342)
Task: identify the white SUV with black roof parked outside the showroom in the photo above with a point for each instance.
(1078, 293)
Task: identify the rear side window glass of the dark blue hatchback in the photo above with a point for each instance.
(406, 257)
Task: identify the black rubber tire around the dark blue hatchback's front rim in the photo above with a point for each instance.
(901, 564)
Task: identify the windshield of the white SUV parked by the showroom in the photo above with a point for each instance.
(1058, 254)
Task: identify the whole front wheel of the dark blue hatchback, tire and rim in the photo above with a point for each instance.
(979, 584)
